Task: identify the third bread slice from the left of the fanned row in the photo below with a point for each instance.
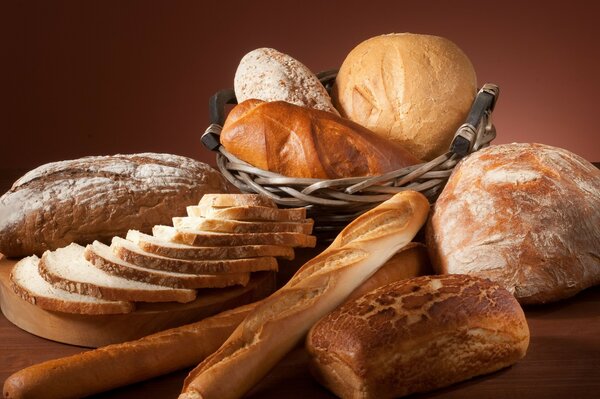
(102, 256)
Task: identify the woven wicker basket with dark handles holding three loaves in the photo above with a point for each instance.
(334, 203)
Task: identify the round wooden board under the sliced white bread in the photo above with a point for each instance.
(99, 330)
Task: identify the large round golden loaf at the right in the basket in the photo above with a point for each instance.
(415, 90)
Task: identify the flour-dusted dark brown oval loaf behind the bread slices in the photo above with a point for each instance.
(96, 198)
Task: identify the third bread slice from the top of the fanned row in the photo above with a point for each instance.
(235, 226)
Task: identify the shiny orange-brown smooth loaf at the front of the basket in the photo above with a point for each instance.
(300, 142)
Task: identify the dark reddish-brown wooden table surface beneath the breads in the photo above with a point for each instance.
(563, 360)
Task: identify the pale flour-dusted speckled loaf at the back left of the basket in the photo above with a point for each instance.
(268, 75)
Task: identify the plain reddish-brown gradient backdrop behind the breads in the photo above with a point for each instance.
(102, 77)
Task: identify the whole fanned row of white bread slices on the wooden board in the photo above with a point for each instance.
(224, 239)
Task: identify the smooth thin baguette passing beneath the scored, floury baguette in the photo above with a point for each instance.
(112, 366)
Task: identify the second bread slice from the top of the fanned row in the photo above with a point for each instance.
(249, 213)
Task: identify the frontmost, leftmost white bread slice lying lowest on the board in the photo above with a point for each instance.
(29, 285)
